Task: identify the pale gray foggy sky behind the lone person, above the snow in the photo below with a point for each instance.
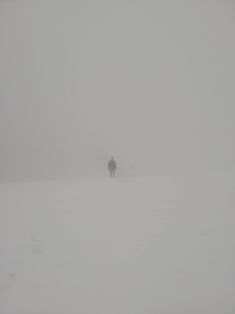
(150, 82)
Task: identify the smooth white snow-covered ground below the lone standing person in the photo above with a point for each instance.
(157, 245)
